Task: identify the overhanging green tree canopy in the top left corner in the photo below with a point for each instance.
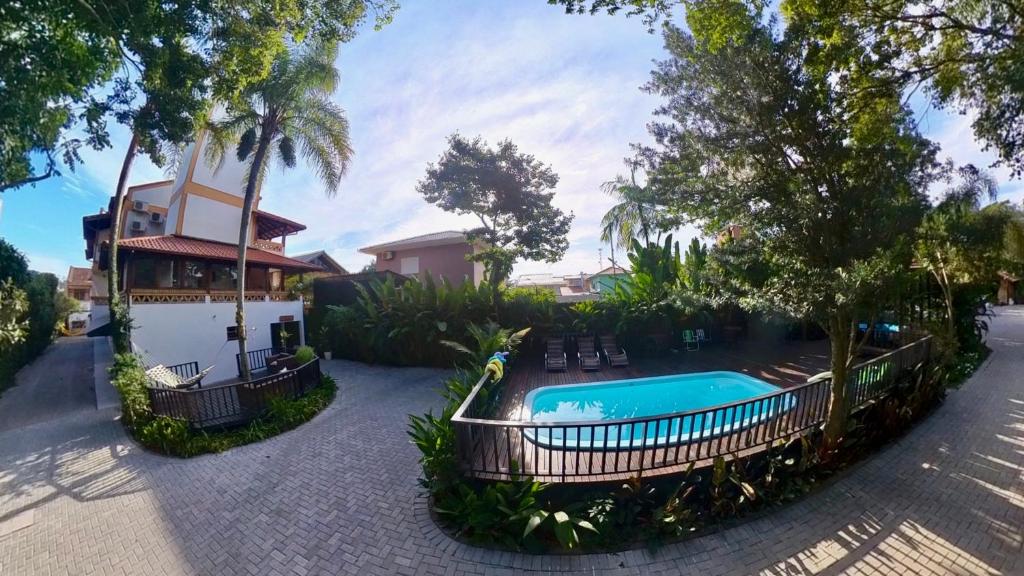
(67, 65)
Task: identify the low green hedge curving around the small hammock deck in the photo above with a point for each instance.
(175, 438)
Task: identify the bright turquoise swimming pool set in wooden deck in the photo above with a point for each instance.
(593, 404)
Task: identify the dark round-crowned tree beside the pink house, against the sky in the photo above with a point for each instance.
(509, 193)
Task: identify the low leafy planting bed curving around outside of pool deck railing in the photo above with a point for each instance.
(526, 515)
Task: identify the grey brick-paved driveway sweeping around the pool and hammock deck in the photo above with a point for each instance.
(339, 497)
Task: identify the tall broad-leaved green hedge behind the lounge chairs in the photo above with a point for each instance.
(406, 324)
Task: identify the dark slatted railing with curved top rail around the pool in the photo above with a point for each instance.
(607, 450)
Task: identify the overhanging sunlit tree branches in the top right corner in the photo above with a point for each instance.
(967, 54)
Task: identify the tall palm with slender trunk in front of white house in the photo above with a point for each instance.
(290, 112)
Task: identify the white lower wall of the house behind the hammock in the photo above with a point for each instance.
(195, 333)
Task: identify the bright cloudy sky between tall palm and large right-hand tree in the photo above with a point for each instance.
(551, 84)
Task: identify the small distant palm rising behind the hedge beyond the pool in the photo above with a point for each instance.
(634, 215)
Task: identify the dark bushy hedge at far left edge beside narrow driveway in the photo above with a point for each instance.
(29, 313)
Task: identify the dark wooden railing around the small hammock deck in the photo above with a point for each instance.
(234, 404)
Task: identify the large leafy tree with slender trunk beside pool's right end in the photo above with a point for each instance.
(824, 180)
